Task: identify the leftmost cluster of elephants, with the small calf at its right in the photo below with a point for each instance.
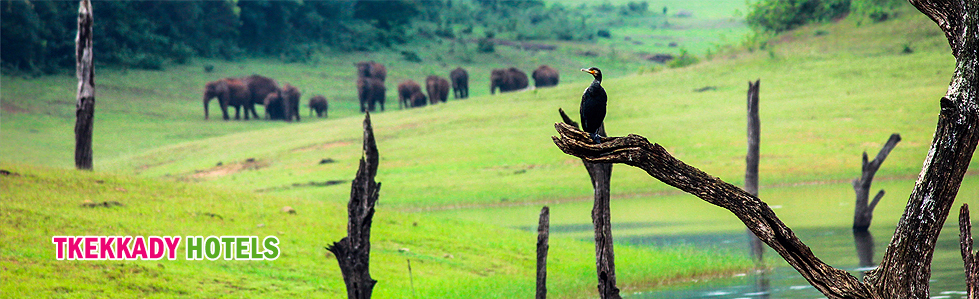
(281, 102)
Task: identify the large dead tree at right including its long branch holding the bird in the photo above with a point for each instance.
(905, 268)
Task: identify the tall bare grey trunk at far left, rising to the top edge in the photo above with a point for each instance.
(85, 98)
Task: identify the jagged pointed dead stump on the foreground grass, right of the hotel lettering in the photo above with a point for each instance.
(353, 251)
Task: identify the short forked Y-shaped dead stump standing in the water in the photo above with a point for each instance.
(863, 212)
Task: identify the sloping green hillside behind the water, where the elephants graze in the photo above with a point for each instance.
(828, 93)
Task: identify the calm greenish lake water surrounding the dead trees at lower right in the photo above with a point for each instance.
(820, 215)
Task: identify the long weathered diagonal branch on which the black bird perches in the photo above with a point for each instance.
(636, 151)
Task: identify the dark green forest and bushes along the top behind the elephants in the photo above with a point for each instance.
(39, 35)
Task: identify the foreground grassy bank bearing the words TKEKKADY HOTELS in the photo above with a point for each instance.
(449, 259)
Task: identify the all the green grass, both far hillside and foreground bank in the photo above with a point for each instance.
(828, 93)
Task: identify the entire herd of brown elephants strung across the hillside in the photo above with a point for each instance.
(282, 101)
